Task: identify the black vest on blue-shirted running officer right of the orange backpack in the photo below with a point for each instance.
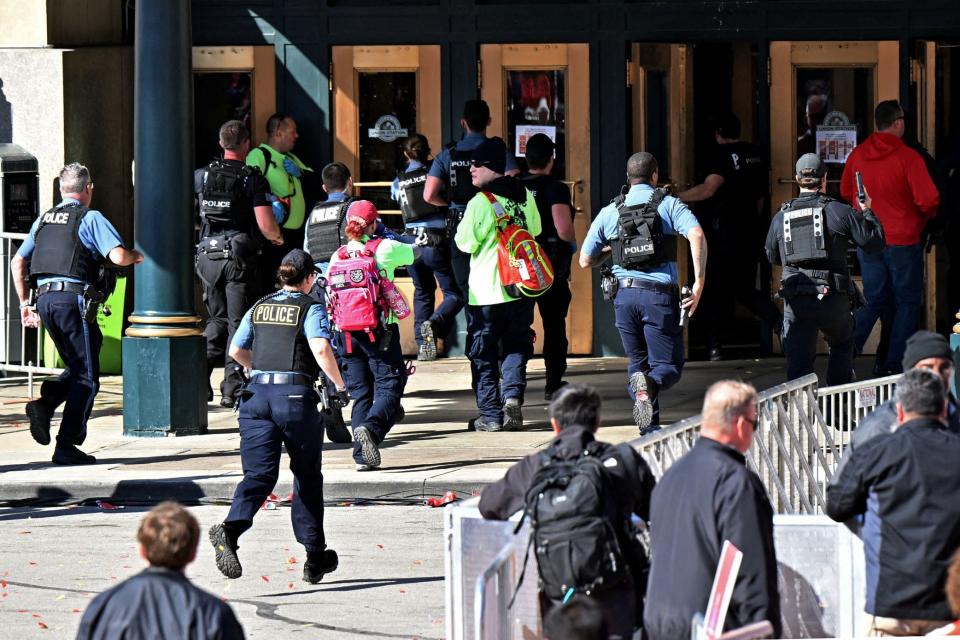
(641, 244)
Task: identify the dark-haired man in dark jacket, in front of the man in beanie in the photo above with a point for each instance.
(905, 485)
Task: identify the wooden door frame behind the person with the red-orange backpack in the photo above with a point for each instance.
(575, 59)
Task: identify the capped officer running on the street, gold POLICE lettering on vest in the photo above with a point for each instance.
(282, 339)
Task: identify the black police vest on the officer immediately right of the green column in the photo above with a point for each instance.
(221, 197)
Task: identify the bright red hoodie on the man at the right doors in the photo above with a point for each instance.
(904, 197)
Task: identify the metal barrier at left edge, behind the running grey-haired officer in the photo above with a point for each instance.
(21, 349)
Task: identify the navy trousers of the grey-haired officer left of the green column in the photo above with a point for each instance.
(78, 343)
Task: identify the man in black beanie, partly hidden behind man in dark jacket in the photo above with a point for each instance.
(924, 350)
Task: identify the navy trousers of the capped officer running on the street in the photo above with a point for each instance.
(270, 416)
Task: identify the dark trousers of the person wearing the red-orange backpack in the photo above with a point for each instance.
(501, 343)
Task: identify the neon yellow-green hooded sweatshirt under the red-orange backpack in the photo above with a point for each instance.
(477, 235)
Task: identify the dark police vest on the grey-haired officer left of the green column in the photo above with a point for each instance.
(59, 251)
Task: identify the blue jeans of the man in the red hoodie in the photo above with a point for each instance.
(892, 277)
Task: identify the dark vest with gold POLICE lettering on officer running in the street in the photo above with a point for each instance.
(279, 343)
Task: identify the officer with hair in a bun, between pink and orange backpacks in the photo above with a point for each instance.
(427, 223)
